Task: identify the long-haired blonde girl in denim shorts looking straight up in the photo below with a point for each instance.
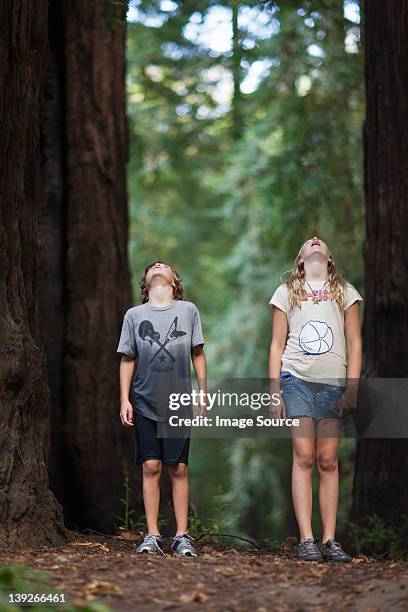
(315, 317)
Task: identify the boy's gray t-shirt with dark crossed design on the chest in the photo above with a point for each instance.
(161, 339)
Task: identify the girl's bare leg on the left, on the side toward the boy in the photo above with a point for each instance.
(303, 461)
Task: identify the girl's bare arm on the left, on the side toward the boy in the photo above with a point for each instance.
(279, 335)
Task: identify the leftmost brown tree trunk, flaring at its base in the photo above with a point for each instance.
(29, 513)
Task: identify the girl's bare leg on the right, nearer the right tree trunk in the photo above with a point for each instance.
(327, 465)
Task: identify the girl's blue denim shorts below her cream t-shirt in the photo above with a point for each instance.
(312, 399)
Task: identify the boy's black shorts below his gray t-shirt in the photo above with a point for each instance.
(148, 446)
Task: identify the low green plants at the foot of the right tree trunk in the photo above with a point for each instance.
(378, 539)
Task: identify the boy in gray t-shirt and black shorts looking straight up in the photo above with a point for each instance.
(158, 338)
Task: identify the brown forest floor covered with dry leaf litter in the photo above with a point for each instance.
(107, 569)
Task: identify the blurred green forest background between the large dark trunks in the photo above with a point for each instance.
(245, 128)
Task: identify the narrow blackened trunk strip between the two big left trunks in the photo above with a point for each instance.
(52, 247)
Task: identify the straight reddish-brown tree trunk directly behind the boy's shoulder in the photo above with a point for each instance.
(96, 447)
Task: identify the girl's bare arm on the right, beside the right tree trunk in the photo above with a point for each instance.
(352, 331)
